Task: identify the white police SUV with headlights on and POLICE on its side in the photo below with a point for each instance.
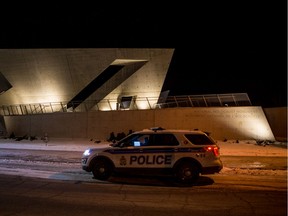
(183, 154)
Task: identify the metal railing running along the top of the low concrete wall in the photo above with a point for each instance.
(139, 103)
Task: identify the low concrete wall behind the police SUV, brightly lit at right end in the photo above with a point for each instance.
(224, 123)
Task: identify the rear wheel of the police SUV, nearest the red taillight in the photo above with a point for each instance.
(186, 173)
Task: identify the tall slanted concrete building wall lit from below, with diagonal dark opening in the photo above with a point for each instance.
(57, 75)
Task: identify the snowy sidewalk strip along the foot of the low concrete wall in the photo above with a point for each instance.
(229, 148)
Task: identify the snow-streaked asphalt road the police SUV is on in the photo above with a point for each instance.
(36, 182)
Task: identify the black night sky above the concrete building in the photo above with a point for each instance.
(220, 46)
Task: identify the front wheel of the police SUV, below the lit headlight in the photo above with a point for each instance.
(102, 169)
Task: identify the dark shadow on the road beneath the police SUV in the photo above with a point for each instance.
(166, 181)
